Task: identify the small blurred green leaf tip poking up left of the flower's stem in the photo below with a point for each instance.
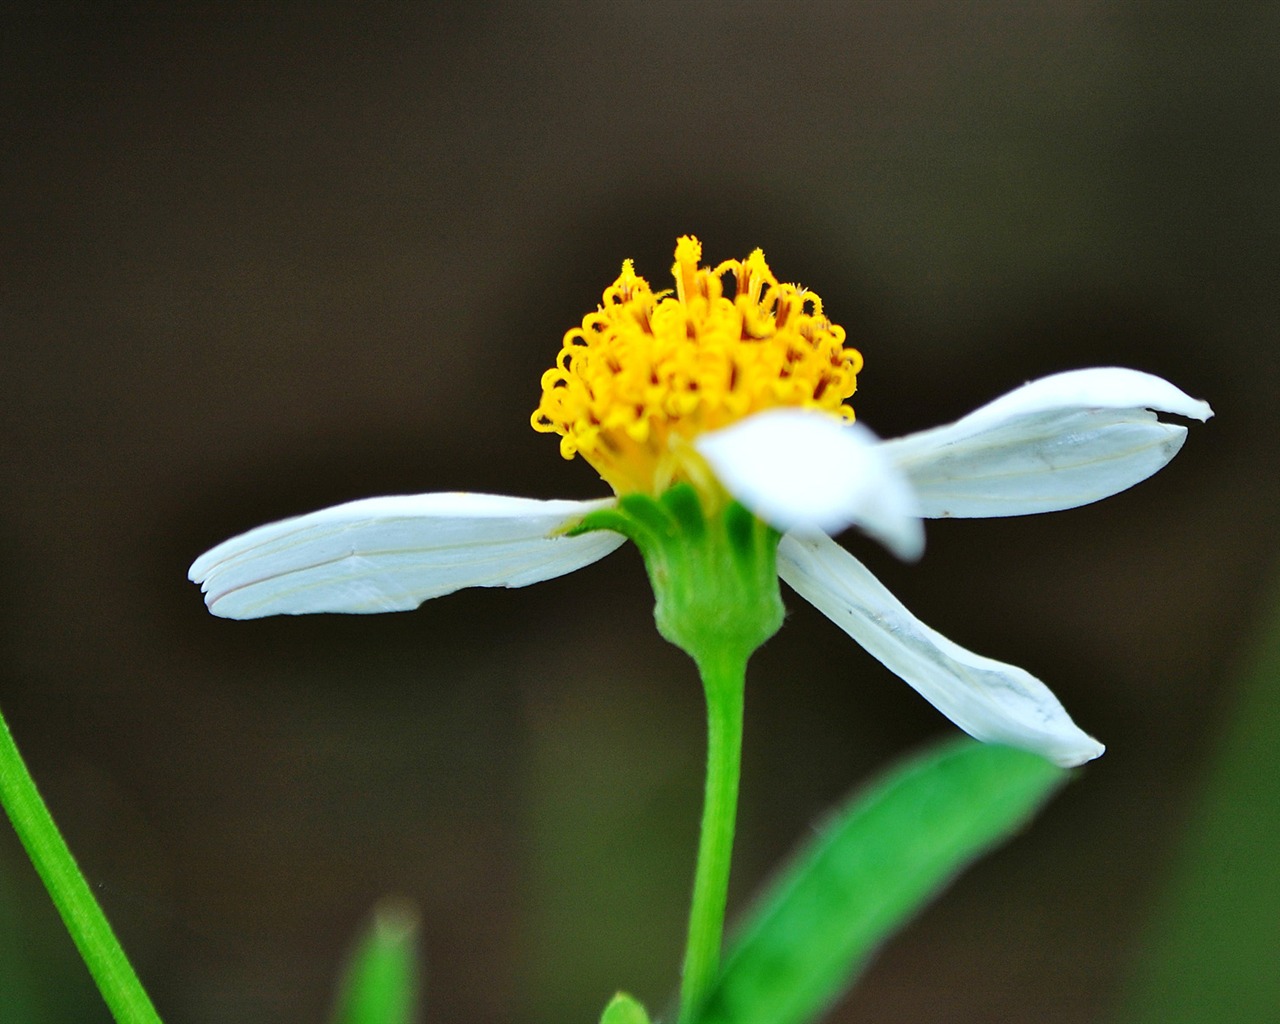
(381, 981)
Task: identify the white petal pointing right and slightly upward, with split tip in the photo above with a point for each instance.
(1059, 442)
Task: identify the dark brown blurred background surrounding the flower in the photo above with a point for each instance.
(266, 259)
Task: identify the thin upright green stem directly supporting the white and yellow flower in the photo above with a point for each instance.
(724, 680)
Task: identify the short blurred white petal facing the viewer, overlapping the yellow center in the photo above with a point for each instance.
(806, 472)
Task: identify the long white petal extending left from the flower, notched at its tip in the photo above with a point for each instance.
(390, 555)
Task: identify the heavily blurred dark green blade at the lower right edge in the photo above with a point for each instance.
(1215, 940)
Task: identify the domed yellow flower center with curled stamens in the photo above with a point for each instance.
(647, 373)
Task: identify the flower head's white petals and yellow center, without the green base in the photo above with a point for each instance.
(738, 387)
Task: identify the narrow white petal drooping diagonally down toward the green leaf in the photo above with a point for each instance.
(989, 700)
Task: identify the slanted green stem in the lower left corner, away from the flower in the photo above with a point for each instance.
(84, 918)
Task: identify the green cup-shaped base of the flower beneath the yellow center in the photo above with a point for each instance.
(712, 566)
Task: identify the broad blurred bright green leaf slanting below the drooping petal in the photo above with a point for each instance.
(876, 863)
